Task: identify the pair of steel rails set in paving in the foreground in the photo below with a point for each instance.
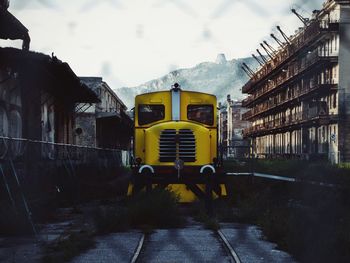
(218, 234)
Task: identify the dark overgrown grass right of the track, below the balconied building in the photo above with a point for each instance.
(310, 221)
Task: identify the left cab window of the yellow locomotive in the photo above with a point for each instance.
(150, 113)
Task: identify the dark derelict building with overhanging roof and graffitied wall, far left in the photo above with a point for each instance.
(37, 92)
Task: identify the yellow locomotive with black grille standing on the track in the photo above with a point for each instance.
(176, 143)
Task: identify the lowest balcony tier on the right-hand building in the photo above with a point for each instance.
(317, 113)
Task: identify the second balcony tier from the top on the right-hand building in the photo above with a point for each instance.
(293, 75)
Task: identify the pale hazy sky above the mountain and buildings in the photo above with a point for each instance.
(129, 42)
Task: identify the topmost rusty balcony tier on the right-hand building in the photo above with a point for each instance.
(304, 39)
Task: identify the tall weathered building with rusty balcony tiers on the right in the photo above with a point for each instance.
(299, 99)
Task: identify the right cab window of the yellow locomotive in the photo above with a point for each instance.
(201, 113)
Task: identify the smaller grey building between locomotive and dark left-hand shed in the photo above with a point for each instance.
(104, 124)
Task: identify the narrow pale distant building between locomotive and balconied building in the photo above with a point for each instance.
(231, 128)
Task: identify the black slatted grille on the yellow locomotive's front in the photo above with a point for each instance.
(175, 144)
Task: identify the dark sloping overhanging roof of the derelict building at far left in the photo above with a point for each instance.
(47, 72)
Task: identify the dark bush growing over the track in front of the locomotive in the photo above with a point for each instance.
(155, 209)
